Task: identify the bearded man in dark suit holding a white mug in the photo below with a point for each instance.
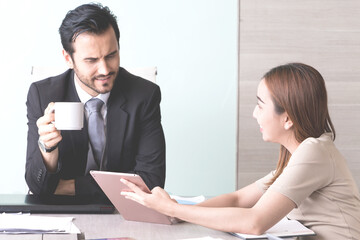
(59, 162)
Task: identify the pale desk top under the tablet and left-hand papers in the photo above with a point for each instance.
(113, 225)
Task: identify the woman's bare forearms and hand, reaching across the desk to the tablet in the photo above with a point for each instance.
(267, 211)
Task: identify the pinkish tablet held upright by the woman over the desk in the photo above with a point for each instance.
(110, 183)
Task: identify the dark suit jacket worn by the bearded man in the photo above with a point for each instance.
(135, 139)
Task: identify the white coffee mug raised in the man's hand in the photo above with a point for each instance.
(69, 115)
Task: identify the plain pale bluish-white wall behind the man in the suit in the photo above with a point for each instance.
(194, 46)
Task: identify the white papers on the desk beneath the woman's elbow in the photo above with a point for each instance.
(284, 228)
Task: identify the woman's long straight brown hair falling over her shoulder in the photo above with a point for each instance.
(299, 90)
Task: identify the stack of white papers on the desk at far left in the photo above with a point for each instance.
(26, 223)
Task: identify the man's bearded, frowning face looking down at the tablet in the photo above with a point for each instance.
(95, 61)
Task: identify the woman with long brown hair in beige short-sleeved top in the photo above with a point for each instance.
(312, 182)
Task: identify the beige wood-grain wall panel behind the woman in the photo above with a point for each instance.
(321, 33)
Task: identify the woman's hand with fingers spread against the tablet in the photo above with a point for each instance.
(158, 199)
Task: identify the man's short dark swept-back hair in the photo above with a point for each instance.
(92, 17)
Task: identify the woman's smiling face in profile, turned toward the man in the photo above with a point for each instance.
(271, 123)
